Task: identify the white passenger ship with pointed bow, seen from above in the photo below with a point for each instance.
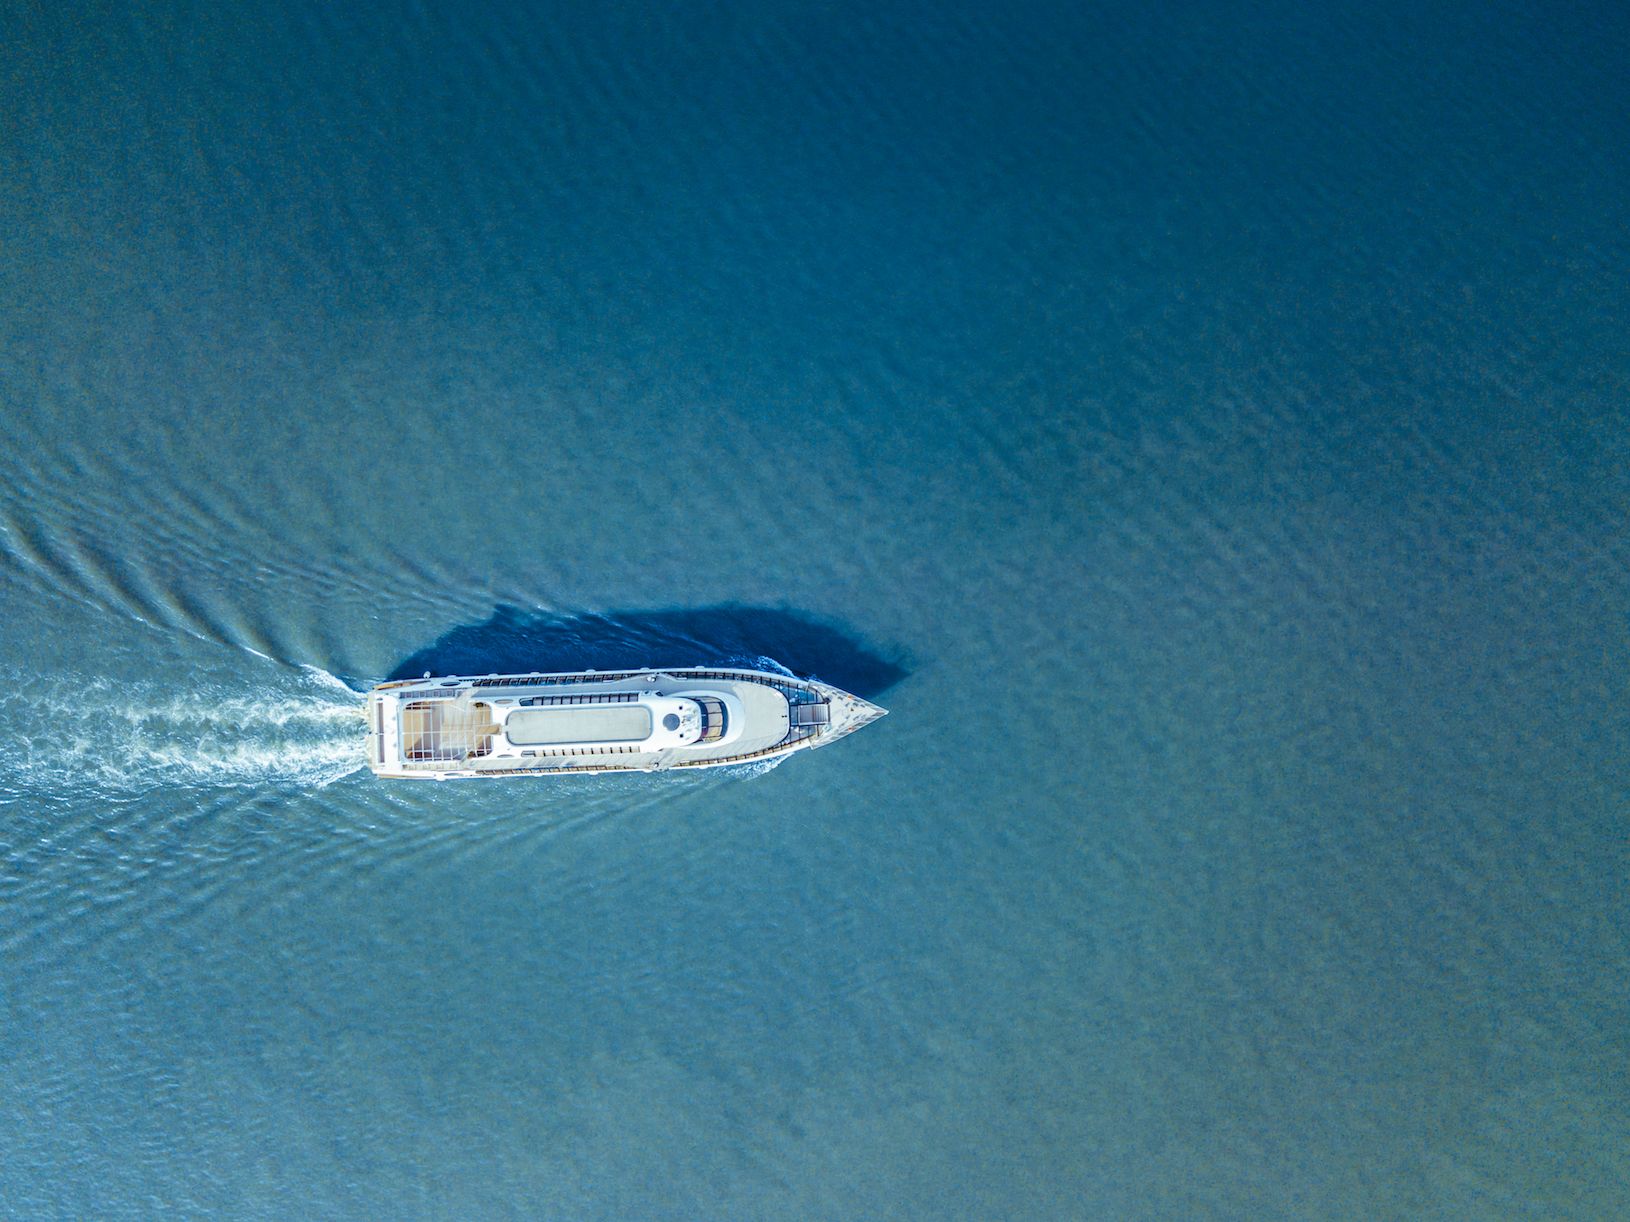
(565, 724)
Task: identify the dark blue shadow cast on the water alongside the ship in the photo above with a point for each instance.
(518, 641)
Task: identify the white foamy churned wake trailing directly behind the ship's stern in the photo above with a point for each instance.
(301, 727)
